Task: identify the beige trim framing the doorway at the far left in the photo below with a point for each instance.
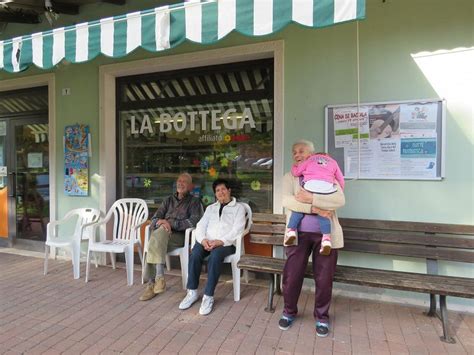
(35, 81)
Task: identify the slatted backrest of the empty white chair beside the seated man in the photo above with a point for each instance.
(128, 213)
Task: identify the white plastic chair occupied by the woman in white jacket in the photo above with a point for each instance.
(239, 251)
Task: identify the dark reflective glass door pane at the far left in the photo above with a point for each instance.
(28, 179)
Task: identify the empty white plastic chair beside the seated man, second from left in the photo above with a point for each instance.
(128, 214)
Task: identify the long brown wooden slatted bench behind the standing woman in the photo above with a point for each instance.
(429, 242)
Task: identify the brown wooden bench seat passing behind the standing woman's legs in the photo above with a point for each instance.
(441, 285)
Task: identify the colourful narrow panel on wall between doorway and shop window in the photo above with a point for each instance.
(76, 160)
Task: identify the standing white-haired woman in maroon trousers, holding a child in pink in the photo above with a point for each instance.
(309, 243)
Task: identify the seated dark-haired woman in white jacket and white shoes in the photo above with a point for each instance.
(223, 222)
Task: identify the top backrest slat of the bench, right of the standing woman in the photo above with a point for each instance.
(407, 226)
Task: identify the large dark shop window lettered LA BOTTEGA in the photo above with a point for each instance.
(211, 122)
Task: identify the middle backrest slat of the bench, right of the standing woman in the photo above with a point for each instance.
(409, 238)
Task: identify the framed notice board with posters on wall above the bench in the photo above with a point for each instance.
(399, 140)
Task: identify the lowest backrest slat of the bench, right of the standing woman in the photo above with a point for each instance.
(412, 251)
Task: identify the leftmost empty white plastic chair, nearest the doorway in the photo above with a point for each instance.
(71, 241)
